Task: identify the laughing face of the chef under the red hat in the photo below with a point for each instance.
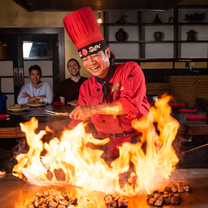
(98, 64)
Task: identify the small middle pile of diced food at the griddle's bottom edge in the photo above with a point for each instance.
(114, 201)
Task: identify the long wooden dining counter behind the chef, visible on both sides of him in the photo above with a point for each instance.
(10, 127)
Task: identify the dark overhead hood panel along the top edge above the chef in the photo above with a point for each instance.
(96, 5)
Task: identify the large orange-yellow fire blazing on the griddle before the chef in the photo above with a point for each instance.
(80, 165)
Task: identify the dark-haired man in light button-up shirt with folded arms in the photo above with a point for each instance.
(36, 91)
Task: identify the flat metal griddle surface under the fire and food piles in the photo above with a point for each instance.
(14, 191)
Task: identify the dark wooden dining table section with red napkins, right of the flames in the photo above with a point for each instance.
(190, 126)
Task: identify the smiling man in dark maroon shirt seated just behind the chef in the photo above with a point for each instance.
(69, 88)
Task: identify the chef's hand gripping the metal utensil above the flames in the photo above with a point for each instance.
(82, 112)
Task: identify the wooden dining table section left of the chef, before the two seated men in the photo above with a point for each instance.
(10, 127)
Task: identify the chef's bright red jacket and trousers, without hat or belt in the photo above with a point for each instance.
(129, 89)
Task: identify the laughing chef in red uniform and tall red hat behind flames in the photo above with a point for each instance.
(116, 93)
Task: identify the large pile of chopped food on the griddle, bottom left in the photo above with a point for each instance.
(52, 199)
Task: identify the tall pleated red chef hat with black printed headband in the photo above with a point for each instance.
(83, 29)
